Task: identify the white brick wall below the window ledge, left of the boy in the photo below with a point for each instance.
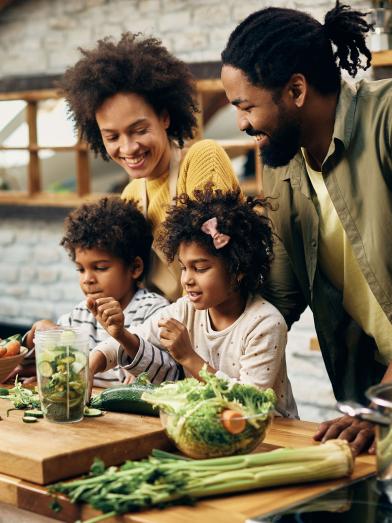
(37, 279)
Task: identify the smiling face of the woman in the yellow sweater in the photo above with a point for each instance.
(134, 135)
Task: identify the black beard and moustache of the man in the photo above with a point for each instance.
(283, 143)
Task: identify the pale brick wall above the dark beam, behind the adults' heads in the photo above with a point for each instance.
(42, 36)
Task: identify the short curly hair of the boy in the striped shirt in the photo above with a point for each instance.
(112, 225)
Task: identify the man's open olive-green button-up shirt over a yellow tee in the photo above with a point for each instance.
(358, 175)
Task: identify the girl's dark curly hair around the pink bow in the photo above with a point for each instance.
(249, 251)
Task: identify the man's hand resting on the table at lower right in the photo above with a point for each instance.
(359, 434)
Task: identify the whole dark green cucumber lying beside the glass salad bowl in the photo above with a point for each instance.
(125, 398)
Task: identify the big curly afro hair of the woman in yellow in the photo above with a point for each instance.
(133, 65)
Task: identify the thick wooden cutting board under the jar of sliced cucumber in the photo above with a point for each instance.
(46, 452)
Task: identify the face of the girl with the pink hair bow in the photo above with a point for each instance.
(205, 278)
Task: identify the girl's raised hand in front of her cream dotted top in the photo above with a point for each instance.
(175, 338)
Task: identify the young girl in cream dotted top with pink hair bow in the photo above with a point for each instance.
(224, 249)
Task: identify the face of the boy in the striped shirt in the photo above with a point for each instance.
(102, 275)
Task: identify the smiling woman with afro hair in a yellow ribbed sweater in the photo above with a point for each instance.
(138, 111)
